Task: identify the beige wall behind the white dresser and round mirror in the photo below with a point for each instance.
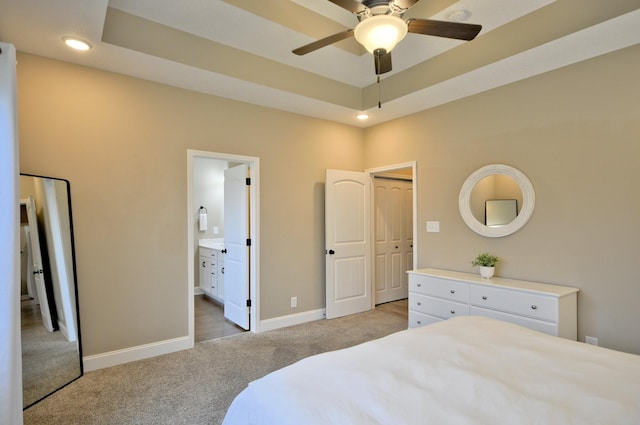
(575, 133)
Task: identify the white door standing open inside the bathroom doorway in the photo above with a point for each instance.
(236, 234)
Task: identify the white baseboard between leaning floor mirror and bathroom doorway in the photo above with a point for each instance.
(140, 352)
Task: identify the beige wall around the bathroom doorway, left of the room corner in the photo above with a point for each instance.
(122, 143)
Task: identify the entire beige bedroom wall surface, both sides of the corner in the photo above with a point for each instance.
(573, 132)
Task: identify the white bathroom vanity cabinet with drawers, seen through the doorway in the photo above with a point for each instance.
(212, 269)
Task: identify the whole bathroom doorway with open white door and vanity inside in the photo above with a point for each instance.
(206, 236)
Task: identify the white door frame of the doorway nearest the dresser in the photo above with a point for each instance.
(414, 180)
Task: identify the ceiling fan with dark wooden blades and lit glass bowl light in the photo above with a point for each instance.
(380, 27)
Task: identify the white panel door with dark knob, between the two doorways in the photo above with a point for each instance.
(348, 243)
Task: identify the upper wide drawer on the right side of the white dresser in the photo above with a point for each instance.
(521, 303)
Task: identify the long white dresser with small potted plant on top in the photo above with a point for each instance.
(436, 295)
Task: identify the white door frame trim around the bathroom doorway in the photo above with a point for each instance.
(254, 224)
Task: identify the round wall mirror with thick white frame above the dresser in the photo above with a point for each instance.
(496, 200)
